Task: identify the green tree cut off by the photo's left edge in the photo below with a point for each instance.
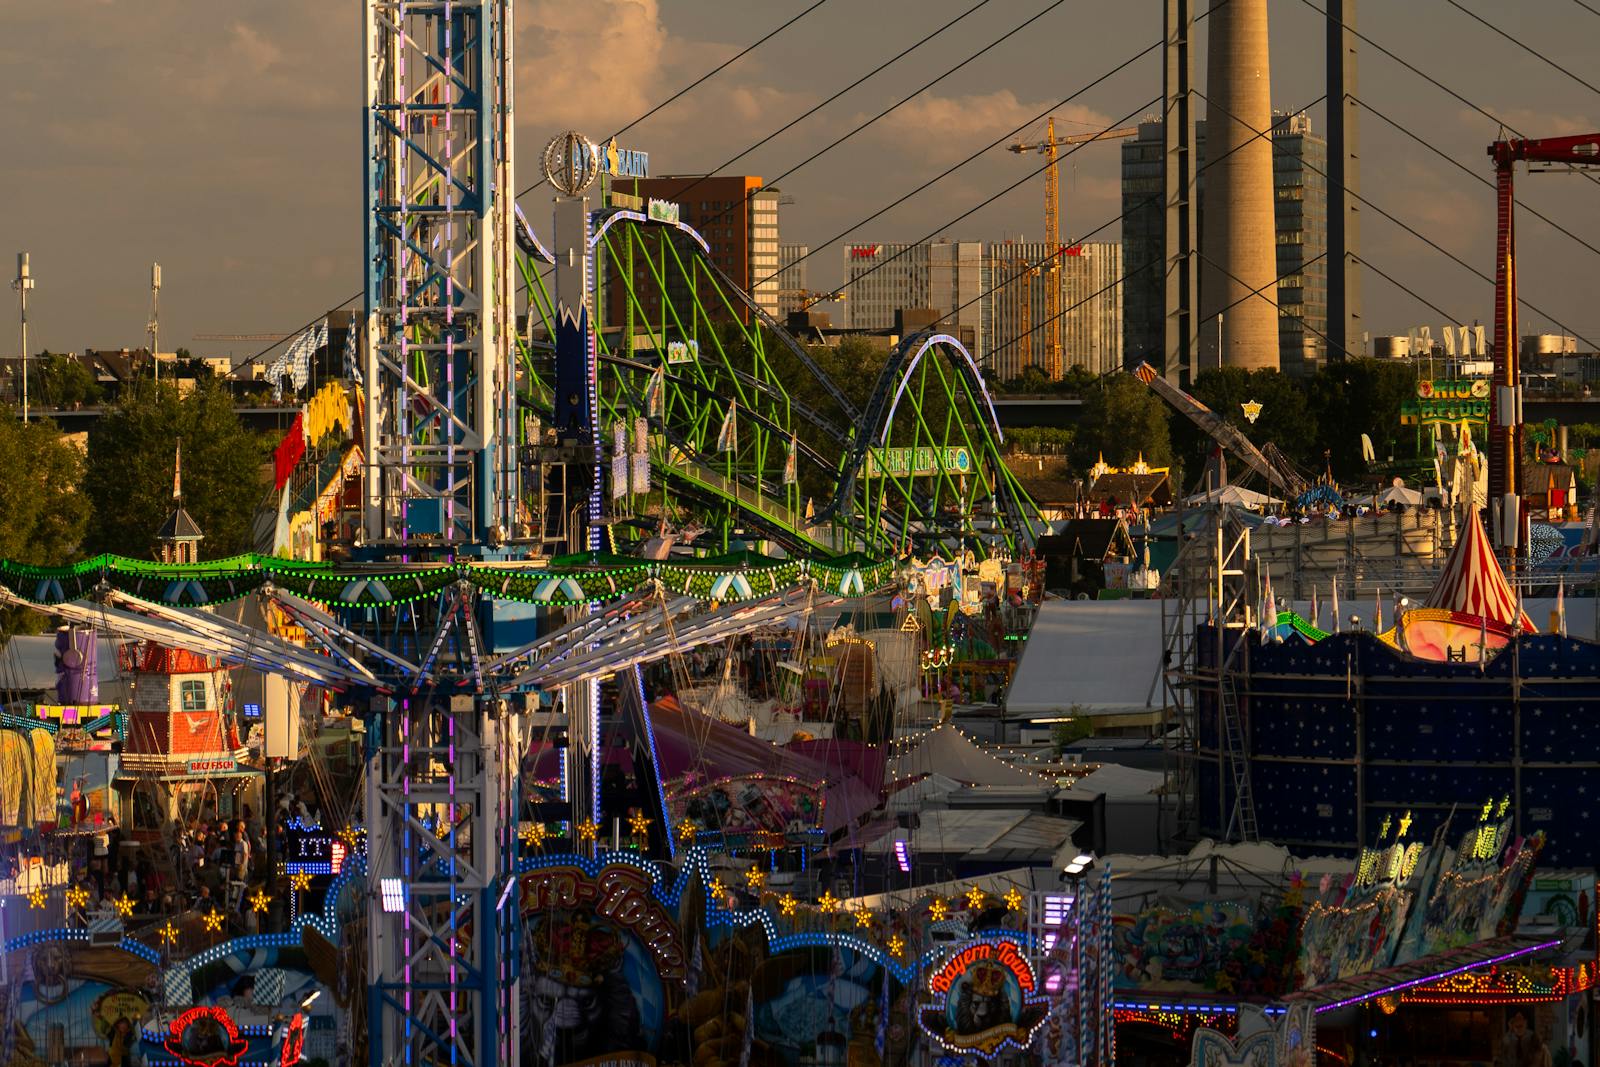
(42, 513)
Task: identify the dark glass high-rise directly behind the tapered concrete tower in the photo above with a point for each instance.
(1302, 234)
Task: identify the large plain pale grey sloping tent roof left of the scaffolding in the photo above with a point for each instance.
(1089, 653)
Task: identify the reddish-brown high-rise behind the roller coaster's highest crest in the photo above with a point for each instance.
(737, 217)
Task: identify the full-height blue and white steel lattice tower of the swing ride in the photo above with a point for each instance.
(439, 438)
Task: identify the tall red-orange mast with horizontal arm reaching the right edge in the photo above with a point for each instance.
(1506, 401)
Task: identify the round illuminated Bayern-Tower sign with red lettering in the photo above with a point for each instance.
(985, 1001)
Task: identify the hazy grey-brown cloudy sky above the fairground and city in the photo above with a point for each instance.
(223, 138)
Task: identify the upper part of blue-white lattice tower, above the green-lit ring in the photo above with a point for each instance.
(441, 246)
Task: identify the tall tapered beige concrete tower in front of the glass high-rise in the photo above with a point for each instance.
(1239, 295)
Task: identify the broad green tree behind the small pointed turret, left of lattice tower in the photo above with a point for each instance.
(130, 470)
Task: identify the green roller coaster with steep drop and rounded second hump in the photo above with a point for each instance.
(914, 463)
